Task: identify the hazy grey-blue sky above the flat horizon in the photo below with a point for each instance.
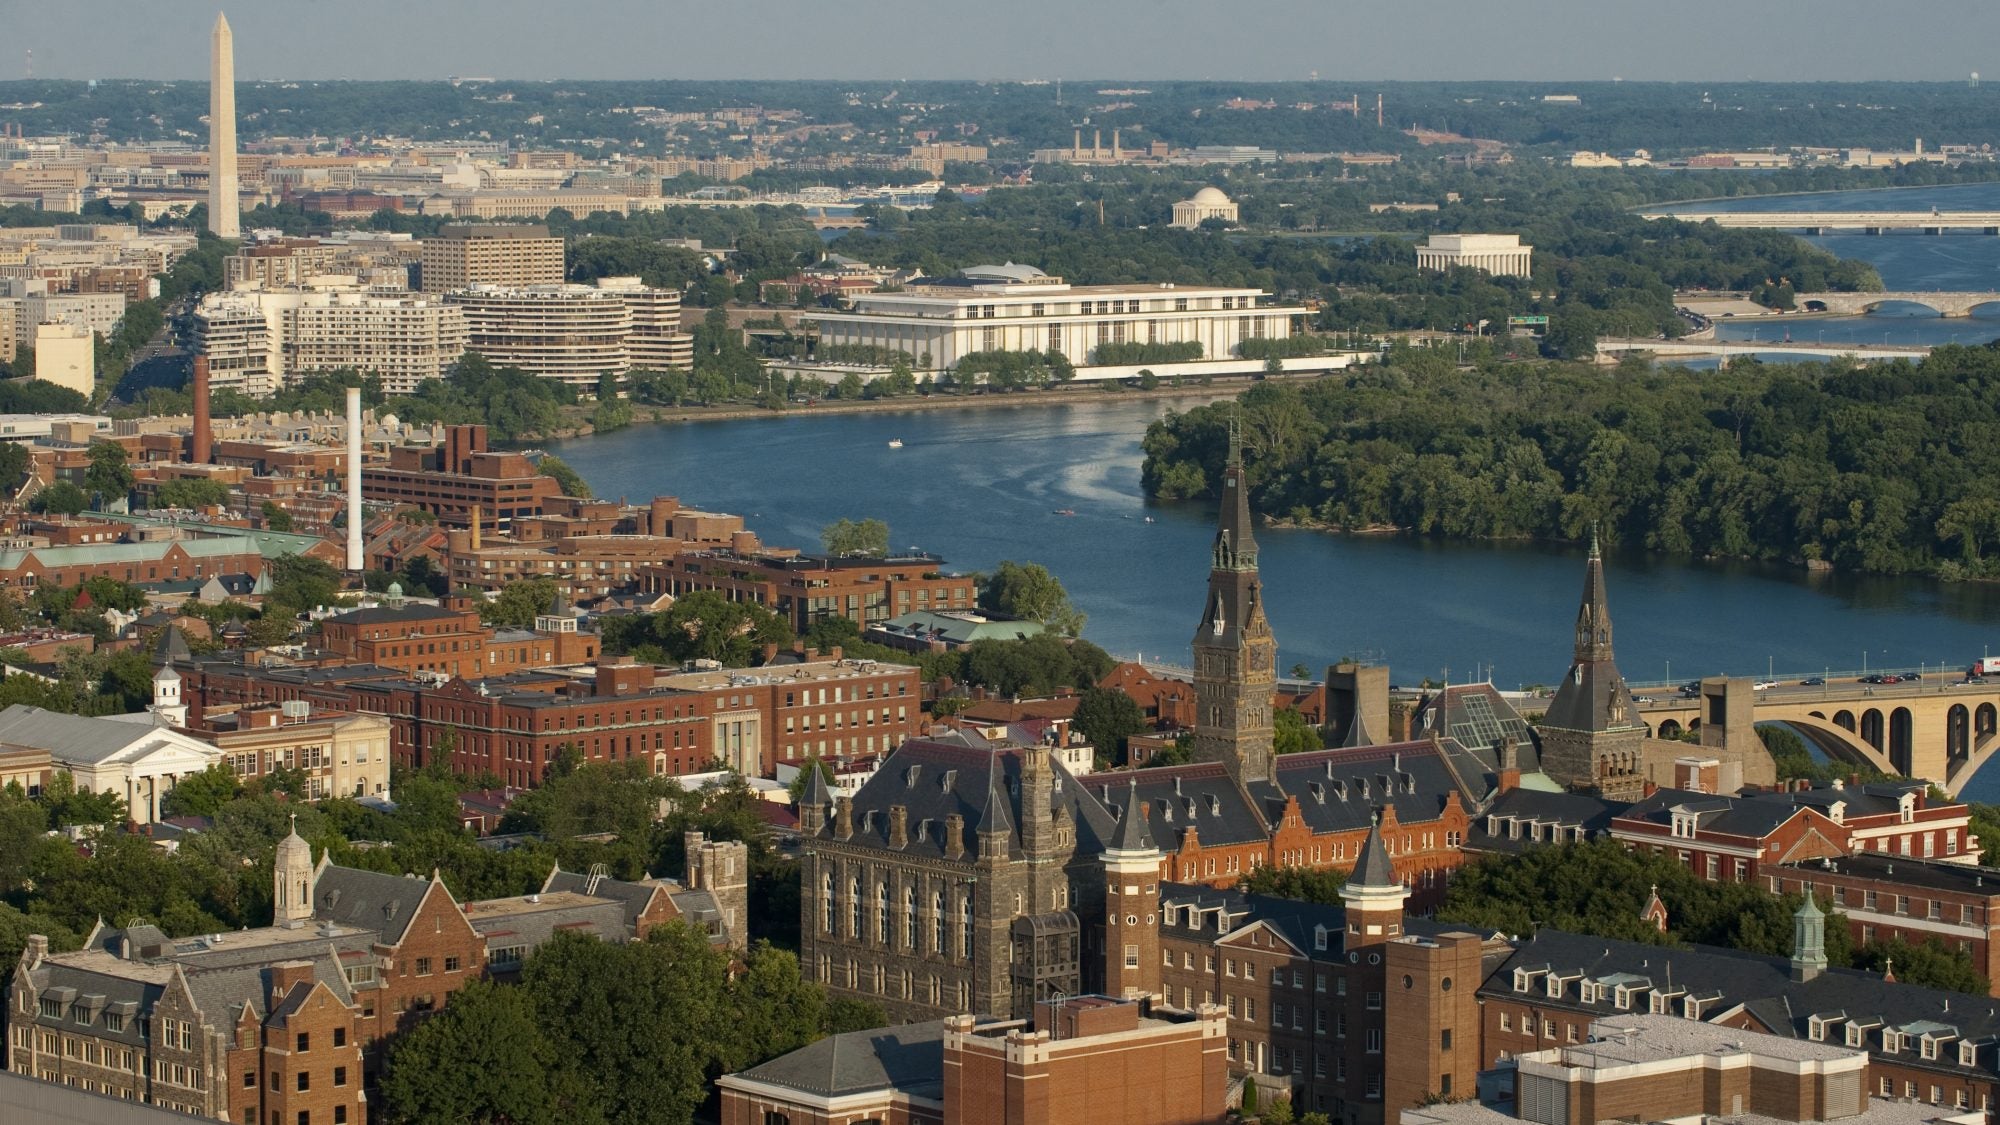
(1015, 39)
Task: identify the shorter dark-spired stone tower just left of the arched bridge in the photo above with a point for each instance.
(1593, 738)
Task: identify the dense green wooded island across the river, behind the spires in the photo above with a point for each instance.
(1883, 469)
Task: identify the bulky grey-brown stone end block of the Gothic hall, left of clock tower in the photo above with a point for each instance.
(959, 880)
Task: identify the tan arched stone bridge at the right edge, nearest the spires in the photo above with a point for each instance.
(1925, 730)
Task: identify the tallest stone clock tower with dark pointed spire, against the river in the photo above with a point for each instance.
(1235, 652)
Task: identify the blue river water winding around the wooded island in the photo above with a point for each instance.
(983, 485)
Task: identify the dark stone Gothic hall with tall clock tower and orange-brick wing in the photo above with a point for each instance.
(977, 880)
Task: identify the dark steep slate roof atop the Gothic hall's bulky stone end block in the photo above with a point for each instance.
(963, 776)
